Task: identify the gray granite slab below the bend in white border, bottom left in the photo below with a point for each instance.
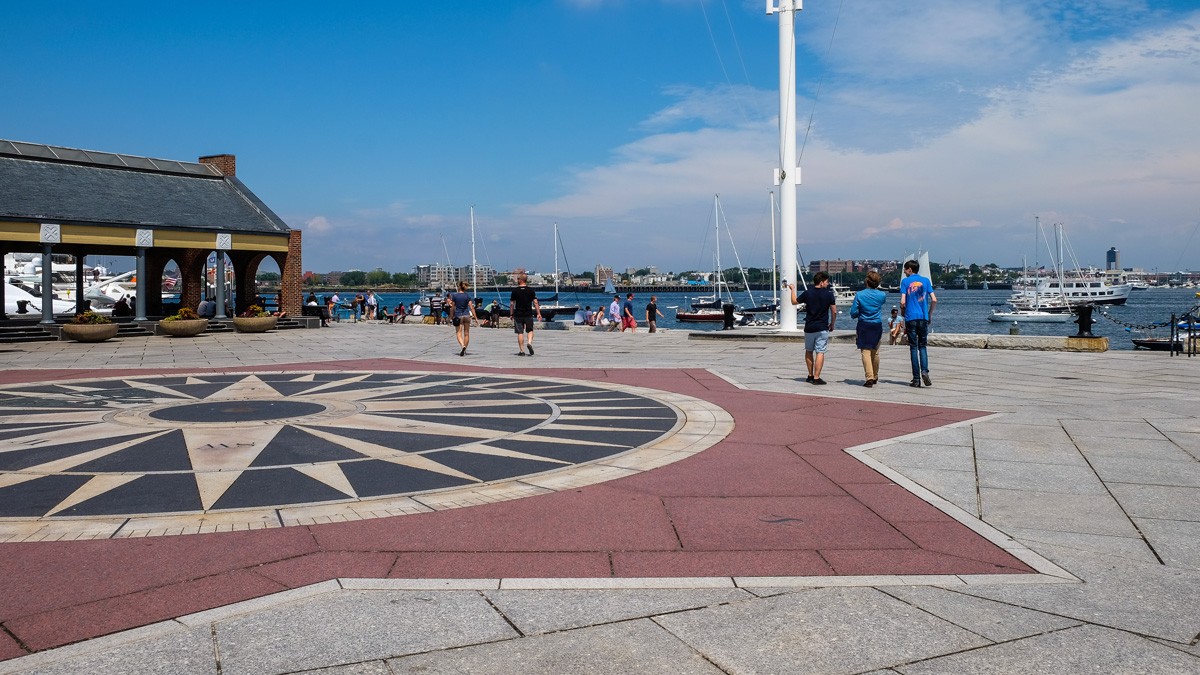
(356, 626)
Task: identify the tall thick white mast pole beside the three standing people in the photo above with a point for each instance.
(788, 177)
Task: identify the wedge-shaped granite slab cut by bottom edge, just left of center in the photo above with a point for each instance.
(617, 649)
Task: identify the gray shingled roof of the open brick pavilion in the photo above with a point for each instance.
(94, 193)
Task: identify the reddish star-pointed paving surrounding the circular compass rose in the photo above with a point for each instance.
(777, 498)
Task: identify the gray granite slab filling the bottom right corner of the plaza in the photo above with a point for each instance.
(1085, 649)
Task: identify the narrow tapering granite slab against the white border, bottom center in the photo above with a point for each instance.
(544, 612)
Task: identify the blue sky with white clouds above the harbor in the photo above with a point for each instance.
(375, 127)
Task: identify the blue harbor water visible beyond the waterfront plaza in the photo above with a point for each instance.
(958, 312)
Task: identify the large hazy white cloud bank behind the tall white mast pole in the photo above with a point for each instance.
(1107, 142)
